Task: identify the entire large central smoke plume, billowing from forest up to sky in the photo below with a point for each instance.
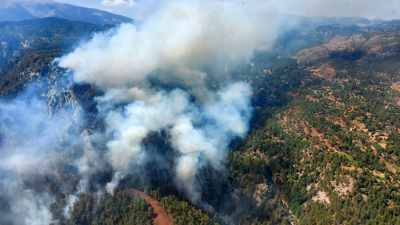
(154, 80)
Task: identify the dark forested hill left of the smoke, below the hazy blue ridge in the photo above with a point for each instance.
(27, 47)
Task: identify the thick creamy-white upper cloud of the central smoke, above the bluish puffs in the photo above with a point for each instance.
(180, 36)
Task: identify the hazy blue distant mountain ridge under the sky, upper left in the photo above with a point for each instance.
(16, 10)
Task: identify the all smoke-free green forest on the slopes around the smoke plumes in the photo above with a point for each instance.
(323, 145)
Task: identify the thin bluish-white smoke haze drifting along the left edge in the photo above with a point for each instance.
(43, 146)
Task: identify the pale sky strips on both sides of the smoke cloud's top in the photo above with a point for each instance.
(371, 9)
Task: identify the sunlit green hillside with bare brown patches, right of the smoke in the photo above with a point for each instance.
(327, 141)
